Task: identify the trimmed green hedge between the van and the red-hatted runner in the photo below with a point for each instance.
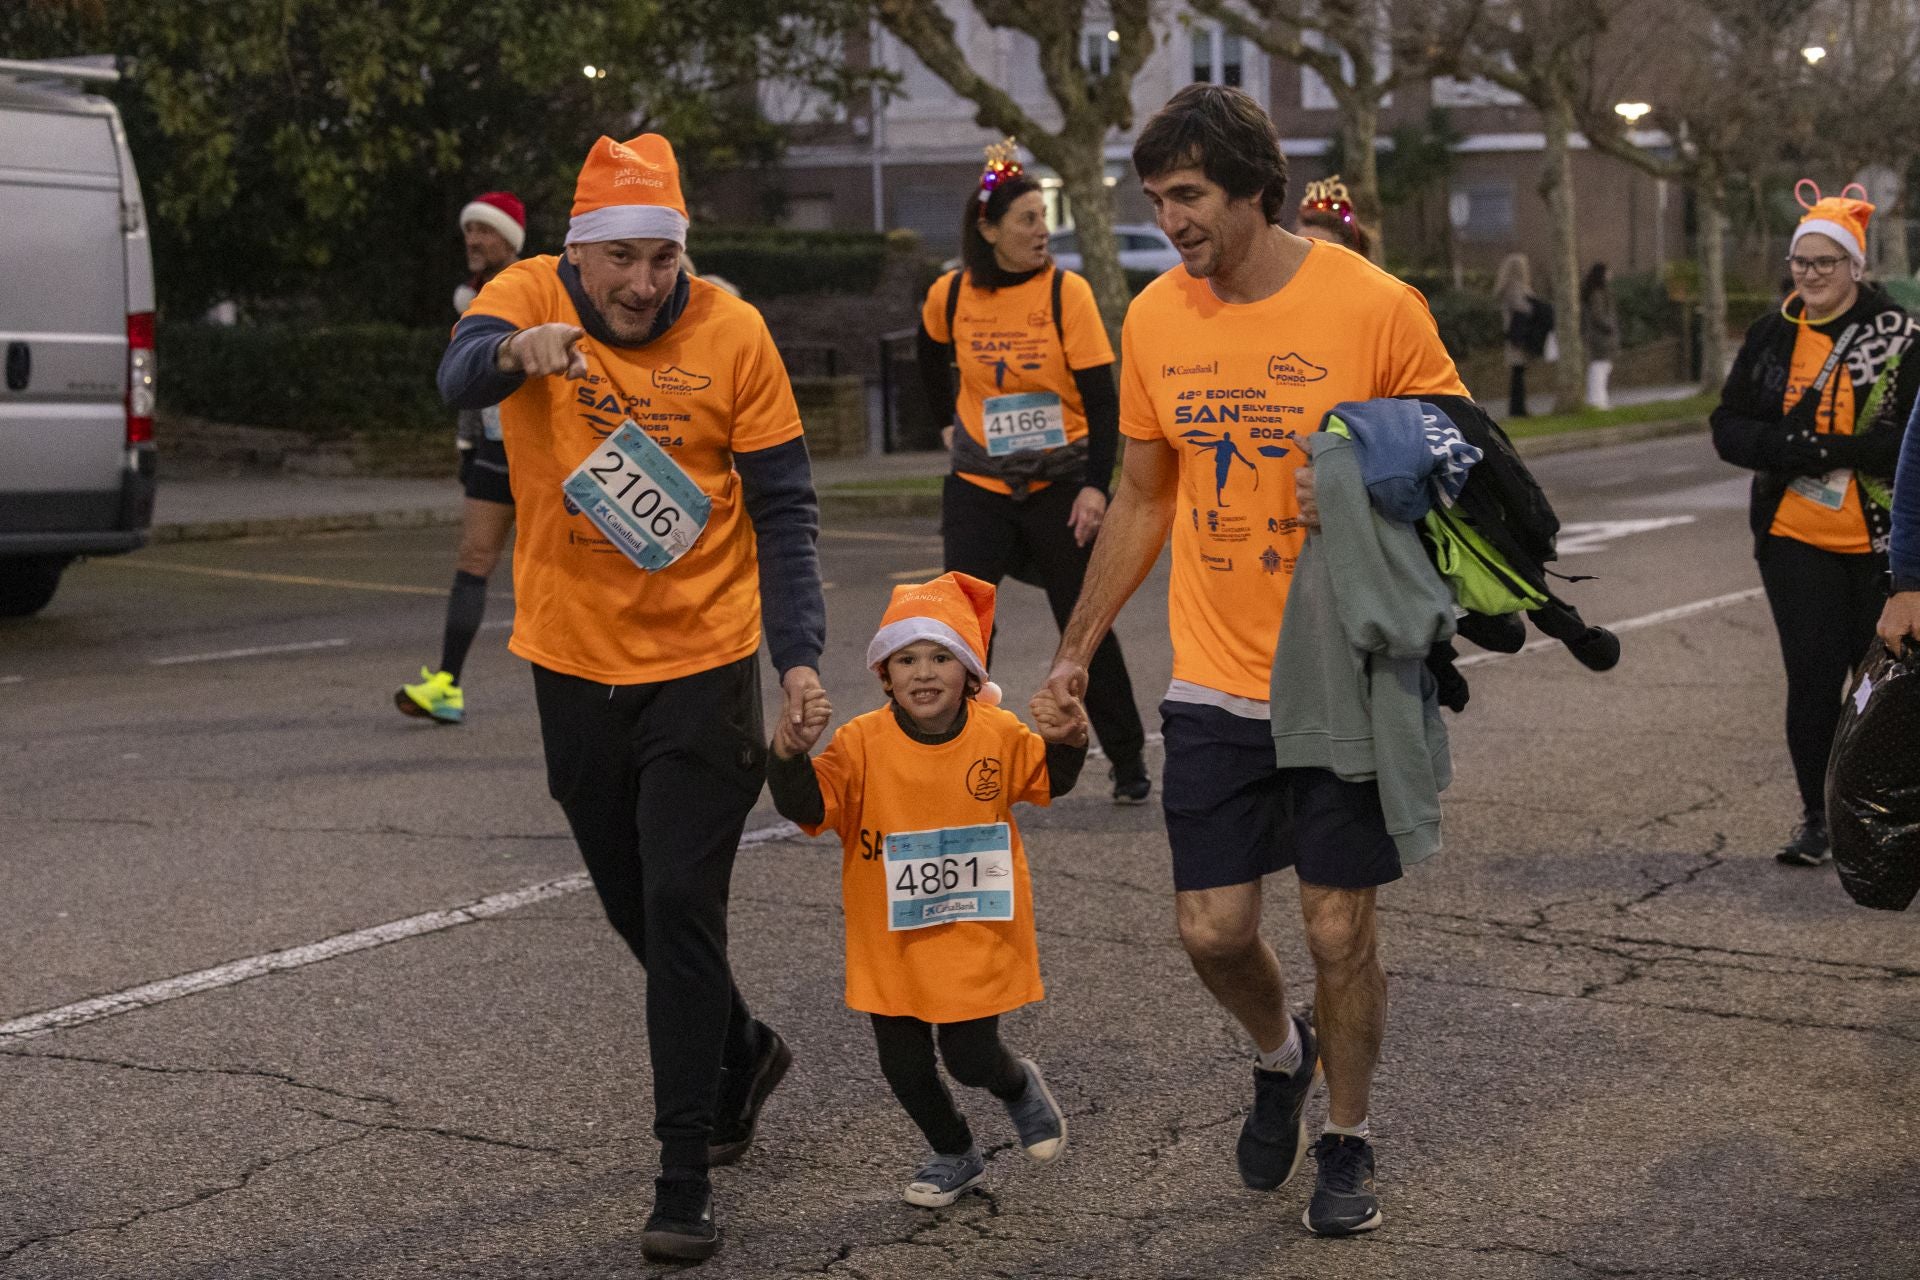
(322, 381)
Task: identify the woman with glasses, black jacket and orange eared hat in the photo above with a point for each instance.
(1815, 408)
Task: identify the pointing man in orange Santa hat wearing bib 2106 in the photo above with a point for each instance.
(663, 498)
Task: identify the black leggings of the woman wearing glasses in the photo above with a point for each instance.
(1825, 609)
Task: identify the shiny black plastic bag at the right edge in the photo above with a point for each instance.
(1873, 784)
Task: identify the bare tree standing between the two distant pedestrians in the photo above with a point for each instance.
(1543, 51)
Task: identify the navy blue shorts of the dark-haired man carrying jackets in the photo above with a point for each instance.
(1236, 817)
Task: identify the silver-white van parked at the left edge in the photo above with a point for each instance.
(76, 331)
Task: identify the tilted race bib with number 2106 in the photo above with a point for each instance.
(640, 498)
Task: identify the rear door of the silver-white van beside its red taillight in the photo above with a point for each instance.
(62, 321)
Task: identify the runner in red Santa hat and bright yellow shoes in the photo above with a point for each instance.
(494, 229)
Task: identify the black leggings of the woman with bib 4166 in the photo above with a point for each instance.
(994, 534)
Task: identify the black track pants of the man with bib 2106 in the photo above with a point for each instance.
(658, 784)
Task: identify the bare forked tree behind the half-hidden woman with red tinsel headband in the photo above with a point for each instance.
(1364, 51)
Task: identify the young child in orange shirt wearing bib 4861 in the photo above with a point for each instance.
(934, 878)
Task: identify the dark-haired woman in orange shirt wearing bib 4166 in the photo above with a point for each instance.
(1034, 427)
